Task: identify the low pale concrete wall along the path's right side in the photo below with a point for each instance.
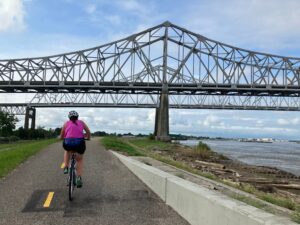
(199, 205)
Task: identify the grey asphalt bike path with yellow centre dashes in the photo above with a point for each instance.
(111, 194)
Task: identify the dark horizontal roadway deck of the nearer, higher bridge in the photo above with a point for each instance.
(148, 88)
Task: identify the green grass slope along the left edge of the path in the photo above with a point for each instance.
(11, 155)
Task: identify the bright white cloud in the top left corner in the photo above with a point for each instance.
(12, 15)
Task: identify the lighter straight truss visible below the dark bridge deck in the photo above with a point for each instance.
(231, 102)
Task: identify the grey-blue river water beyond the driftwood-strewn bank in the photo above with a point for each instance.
(283, 155)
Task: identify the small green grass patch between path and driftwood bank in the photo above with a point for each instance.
(118, 144)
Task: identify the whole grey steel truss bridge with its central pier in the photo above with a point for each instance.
(161, 67)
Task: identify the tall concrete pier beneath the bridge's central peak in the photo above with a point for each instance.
(161, 130)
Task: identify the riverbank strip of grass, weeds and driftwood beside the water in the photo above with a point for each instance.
(267, 184)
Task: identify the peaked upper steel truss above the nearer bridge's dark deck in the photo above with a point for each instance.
(162, 55)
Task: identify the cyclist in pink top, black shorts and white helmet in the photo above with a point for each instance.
(73, 137)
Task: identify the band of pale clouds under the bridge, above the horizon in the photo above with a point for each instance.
(209, 123)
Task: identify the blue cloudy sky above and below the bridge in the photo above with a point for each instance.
(32, 28)
